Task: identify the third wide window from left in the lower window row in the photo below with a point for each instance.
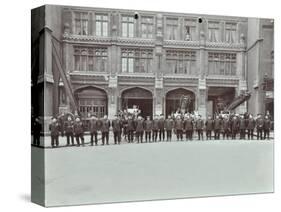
(181, 62)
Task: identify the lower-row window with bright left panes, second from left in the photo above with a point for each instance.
(136, 61)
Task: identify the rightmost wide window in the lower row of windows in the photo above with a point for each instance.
(221, 63)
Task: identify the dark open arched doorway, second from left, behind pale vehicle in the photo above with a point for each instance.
(139, 97)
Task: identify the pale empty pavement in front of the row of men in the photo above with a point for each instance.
(162, 170)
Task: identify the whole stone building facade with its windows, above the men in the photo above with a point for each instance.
(102, 49)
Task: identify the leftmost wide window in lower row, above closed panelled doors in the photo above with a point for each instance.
(90, 59)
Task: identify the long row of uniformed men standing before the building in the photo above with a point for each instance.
(159, 129)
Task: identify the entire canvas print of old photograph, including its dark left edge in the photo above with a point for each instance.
(135, 105)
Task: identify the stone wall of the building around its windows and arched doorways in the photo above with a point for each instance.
(159, 80)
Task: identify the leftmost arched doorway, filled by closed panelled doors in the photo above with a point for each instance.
(91, 101)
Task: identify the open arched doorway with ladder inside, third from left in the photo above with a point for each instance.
(174, 99)
